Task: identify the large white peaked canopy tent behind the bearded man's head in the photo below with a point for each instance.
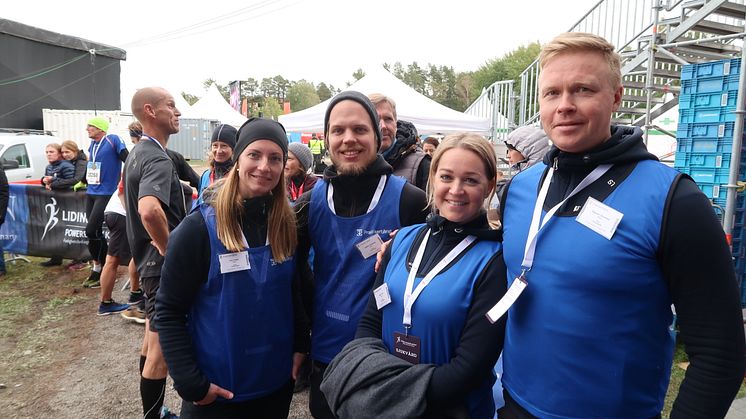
(428, 116)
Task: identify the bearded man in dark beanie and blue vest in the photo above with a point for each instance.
(345, 218)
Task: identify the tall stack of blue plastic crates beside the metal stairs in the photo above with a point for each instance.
(704, 138)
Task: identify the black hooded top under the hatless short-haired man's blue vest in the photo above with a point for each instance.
(695, 261)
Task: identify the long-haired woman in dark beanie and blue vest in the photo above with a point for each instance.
(229, 315)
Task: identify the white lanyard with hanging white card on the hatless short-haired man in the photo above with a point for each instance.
(520, 282)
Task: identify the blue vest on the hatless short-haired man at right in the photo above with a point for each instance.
(589, 336)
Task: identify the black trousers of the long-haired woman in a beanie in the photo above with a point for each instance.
(272, 406)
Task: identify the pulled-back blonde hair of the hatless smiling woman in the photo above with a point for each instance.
(466, 141)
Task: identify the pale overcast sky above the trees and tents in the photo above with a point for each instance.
(316, 40)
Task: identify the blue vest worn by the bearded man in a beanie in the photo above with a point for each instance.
(342, 278)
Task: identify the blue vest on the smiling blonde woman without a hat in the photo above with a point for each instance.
(439, 313)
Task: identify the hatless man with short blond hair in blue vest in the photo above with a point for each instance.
(602, 239)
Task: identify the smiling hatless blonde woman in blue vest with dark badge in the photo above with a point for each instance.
(453, 270)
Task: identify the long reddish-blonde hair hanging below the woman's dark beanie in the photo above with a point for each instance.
(281, 226)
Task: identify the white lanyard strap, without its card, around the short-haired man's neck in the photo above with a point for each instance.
(533, 231)
